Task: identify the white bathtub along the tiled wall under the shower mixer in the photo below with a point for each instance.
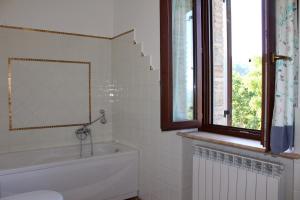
(111, 174)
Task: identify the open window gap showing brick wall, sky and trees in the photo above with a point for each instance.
(237, 63)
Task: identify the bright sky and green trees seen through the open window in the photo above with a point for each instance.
(246, 63)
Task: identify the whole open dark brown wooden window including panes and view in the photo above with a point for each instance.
(216, 68)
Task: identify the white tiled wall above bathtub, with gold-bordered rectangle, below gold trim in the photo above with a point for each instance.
(27, 44)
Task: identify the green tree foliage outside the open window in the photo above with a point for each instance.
(247, 97)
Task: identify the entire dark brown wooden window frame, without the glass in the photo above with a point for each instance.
(202, 62)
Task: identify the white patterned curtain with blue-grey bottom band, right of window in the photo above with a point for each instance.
(287, 43)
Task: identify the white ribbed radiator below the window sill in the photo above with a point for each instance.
(219, 175)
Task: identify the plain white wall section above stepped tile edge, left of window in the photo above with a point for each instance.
(143, 15)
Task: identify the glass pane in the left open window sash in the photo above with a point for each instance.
(183, 64)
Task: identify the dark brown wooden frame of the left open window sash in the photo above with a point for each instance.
(167, 122)
